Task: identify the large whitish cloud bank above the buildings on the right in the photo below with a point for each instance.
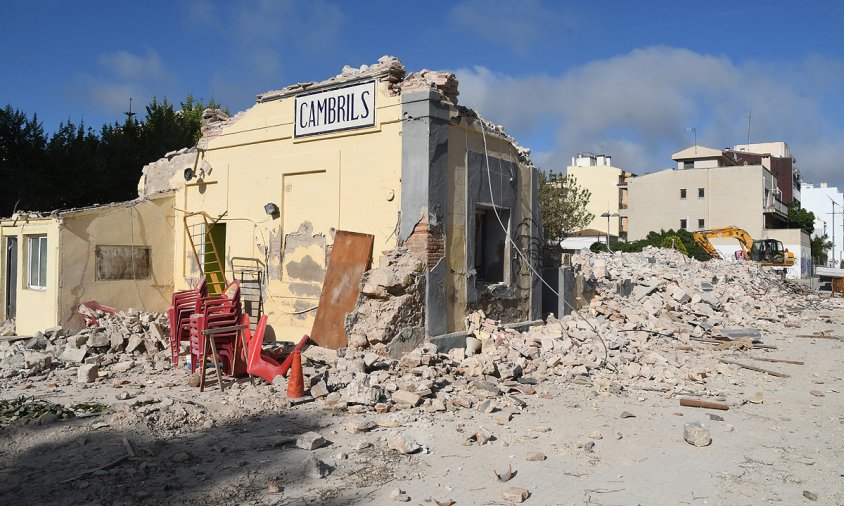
(636, 106)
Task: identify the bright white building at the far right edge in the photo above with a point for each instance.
(827, 203)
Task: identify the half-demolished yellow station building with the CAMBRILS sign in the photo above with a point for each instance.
(373, 150)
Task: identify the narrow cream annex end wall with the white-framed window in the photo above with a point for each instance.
(36, 308)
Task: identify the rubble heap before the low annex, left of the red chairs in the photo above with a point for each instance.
(116, 342)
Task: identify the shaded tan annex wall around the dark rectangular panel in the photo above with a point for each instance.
(145, 223)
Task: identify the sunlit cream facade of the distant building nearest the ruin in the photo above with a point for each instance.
(602, 183)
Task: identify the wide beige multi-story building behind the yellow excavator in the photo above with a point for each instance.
(710, 189)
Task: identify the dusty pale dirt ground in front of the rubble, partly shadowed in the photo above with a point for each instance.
(162, 441)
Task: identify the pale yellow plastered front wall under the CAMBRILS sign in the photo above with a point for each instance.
(339, 181)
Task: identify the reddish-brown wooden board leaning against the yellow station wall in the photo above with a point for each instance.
(351, 256)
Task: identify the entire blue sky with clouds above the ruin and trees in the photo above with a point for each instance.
(622, 78)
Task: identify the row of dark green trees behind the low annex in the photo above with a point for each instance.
(77, 166)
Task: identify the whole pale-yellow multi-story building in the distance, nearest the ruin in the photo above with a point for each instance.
(607, 186)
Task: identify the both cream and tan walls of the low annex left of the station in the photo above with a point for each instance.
(72, 239)
